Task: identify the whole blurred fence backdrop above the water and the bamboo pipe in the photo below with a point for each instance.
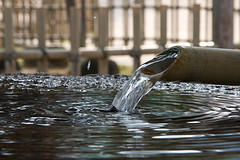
(79, 37)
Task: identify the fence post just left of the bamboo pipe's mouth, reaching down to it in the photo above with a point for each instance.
(136, 36)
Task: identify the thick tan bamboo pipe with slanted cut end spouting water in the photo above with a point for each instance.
(196, 64)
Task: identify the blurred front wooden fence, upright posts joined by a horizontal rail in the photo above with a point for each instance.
(103, 27)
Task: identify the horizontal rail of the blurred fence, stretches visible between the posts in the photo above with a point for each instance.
(56, 53)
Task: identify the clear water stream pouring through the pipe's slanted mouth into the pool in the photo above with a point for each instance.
(143, 80)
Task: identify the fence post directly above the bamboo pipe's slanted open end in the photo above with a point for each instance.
(163, 12)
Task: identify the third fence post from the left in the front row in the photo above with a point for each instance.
(75, 39)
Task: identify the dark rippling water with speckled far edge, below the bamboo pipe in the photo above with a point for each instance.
(57, 117)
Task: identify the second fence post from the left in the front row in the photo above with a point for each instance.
(41, 23)
